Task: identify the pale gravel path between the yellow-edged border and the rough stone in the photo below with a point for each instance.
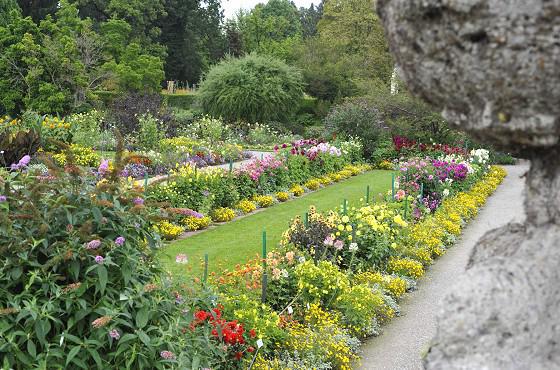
(406, 338)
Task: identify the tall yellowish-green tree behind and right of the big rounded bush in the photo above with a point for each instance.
(349, 55)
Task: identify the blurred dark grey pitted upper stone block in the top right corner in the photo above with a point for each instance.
(492, 66)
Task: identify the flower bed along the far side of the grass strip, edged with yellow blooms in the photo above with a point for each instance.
(224, 194)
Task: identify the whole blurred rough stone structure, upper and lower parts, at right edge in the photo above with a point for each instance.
(493, 67)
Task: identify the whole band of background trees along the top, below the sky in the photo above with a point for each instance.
(55, 55)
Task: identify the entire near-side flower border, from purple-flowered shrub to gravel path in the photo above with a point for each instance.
(83, 247)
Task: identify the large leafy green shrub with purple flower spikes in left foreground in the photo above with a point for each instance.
(80, 284)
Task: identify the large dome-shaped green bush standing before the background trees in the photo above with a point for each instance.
(253, 88)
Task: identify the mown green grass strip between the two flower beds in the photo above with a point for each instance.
(241, 240)
